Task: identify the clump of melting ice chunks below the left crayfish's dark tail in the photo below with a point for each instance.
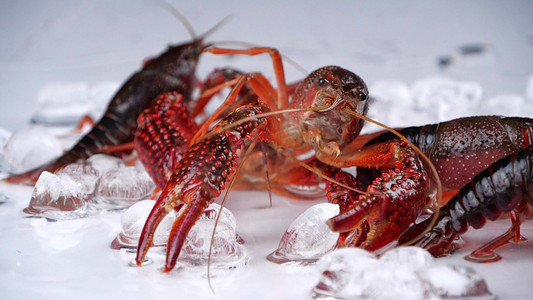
(83, 188)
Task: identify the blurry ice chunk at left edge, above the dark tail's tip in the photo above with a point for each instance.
(29, 148)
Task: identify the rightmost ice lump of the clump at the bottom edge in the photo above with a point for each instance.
(455, 282)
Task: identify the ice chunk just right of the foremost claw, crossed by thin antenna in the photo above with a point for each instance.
(226, 249)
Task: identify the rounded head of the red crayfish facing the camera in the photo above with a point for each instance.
(332, 91)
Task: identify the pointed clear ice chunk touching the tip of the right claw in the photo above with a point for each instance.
(308, 237)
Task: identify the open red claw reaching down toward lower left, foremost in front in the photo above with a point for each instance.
(200, 176)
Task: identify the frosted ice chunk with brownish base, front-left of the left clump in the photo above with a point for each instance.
(58, 197)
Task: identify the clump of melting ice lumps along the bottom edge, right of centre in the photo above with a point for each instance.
(400, 273)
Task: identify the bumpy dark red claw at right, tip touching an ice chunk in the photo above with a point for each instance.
(390, 204)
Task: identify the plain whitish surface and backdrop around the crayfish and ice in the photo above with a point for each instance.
(94, 41)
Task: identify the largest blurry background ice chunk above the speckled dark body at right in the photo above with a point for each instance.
(441, 97)
